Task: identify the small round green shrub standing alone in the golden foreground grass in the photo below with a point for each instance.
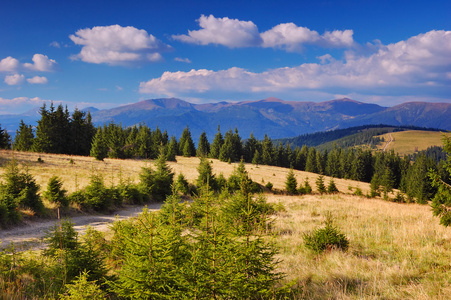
(327, 238)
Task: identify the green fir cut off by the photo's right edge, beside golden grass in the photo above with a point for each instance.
(441, 203)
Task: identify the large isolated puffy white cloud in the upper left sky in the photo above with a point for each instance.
(117, 45)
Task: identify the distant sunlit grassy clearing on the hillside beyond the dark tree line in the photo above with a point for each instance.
(408, 142)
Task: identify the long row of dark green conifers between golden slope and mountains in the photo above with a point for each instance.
(59, 132)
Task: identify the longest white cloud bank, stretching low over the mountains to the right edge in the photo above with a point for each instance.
(422, 61)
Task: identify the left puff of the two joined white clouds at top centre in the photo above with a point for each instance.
(231, 33)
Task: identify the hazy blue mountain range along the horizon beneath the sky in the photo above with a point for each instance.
(272, 116)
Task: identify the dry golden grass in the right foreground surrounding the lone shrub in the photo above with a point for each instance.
(397, 251)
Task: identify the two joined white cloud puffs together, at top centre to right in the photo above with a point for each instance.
(234, 33)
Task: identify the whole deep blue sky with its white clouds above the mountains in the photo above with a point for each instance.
(110, 53)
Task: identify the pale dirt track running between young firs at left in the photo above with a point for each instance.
(29, 235)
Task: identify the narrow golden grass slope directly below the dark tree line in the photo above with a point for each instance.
(76, 175)
